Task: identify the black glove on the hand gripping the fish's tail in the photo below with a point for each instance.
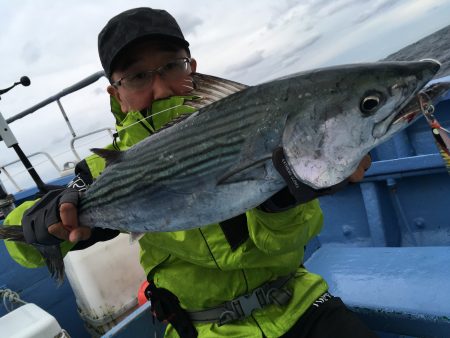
(44, 213)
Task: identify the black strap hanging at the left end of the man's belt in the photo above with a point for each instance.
(166, 307)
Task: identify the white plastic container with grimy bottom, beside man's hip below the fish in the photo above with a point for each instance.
(105, 279)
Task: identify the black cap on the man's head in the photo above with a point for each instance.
(133, 24)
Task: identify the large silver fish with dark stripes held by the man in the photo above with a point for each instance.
(216, 163)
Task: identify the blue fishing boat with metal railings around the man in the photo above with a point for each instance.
(384, 249)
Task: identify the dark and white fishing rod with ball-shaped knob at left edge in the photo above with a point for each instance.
(10, 140)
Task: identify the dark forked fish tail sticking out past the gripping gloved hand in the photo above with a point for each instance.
(51, 253)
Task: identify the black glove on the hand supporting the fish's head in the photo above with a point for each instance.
(295, 192)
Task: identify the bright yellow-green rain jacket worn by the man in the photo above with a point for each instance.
(198, 265)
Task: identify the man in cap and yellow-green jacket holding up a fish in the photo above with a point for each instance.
(198, 277)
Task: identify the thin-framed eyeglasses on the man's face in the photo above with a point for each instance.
(170, 71)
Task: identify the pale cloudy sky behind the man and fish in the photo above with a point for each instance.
(54, 43)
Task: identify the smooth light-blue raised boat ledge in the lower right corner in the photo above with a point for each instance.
(394, 289)
